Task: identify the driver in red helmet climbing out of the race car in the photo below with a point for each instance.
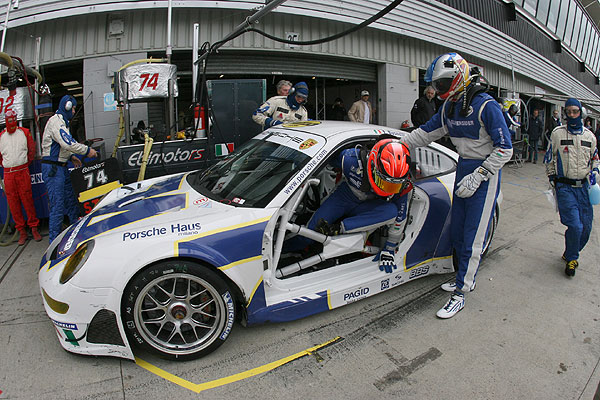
(374, 191)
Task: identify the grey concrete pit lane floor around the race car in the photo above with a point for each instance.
(527, 332)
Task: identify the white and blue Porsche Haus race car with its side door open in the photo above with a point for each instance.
(170, 263)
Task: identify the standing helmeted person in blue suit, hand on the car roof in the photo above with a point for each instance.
(477, 128)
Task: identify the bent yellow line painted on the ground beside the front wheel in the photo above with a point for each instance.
(199, 387)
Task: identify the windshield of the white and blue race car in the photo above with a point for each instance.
(251, 176)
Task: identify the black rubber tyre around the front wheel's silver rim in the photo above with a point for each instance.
(164, 269)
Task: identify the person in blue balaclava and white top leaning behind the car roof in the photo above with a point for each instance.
(281, 109)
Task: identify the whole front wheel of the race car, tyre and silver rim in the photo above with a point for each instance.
(178, 310)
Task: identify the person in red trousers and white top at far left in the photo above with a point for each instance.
(17, 151)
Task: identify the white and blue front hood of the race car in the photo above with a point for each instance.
(141, 208)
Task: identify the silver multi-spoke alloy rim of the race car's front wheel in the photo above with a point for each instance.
(179, 313)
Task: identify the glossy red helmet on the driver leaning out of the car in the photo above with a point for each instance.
(388, 167)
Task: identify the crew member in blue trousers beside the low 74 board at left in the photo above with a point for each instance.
(58, 147)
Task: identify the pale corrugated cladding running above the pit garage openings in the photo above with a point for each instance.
(77, 29)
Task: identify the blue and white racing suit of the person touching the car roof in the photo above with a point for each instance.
(482, 139)
